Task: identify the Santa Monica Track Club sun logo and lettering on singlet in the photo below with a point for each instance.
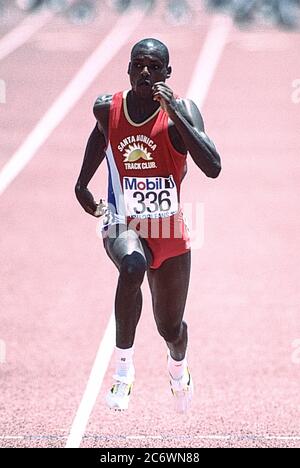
(137, 148)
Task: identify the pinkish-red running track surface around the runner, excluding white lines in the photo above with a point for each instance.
(57, 286)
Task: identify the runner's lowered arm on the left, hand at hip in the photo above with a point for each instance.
(93, 157)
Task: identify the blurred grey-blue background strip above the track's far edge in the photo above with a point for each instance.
(281, 13)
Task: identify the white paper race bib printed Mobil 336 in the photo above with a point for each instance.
(150, 197)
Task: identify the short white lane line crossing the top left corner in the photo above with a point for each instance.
(23, 32)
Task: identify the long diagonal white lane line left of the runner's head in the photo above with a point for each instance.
(103, 54)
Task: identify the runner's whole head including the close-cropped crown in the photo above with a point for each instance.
(149, 64)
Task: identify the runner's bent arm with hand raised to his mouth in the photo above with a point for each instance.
(189, 124)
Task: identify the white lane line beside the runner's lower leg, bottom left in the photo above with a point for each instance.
(93, 386)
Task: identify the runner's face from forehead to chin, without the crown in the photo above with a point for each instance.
(147, 67)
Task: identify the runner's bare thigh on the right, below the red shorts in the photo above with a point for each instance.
(169, 286)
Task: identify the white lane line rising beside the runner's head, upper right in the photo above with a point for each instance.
(207, 63)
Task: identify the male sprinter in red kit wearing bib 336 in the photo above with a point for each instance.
(145, 134)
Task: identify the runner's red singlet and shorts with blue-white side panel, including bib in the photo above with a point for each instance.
(145, 175)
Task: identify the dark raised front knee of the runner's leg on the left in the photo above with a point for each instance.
(133, 268)
